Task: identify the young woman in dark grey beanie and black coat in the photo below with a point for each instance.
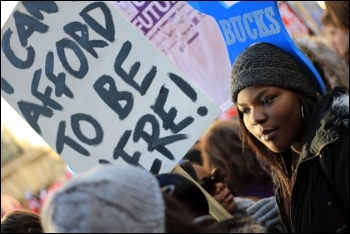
(304, 138)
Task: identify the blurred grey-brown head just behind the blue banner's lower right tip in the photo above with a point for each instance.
(332, 68)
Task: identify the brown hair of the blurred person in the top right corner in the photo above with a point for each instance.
(339, 12)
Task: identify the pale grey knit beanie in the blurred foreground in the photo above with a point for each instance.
(107, 198)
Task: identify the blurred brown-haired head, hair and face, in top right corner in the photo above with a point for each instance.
(339, 18)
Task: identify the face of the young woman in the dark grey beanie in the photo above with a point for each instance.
(273, 115)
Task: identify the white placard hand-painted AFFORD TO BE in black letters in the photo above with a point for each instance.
(96, 89)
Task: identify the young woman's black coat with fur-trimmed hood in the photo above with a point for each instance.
(320, 195)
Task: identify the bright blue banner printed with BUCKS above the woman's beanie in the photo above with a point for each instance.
(247, 22)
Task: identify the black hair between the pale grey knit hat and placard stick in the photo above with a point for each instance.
(186, 192)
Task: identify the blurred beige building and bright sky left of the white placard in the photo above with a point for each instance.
(30, 168)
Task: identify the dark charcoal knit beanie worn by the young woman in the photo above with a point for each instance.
(267, 65)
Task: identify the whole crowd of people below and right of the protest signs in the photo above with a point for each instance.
(280, 165)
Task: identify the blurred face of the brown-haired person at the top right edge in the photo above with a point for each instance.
(340, 41)
